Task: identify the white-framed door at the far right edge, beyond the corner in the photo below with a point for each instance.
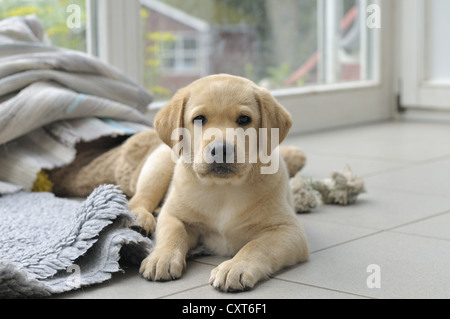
(425, 72)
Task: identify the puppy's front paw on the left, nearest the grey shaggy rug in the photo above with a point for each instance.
(163, 266)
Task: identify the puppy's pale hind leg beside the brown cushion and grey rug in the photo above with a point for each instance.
(152, 184)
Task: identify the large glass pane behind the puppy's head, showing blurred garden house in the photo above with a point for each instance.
(298, 43)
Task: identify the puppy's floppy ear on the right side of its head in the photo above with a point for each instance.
(273, 115)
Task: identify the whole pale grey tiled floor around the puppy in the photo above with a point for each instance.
(402, 225)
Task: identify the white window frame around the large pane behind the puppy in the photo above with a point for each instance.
(313, 108)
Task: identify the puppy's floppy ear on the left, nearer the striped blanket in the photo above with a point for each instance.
(171, 116)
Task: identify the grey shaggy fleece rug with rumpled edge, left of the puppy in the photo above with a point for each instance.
(50, 245)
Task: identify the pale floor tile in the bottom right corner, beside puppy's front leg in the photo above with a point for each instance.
(410, 267)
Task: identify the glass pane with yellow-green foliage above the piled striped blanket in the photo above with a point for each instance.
(64, 20)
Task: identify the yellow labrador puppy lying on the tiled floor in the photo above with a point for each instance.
(227, 192)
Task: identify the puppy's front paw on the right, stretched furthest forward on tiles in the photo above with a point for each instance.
(234, 276)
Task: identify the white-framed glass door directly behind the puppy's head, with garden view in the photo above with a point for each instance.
(329, 62)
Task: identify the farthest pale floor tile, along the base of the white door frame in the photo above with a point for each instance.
(388, 141)
